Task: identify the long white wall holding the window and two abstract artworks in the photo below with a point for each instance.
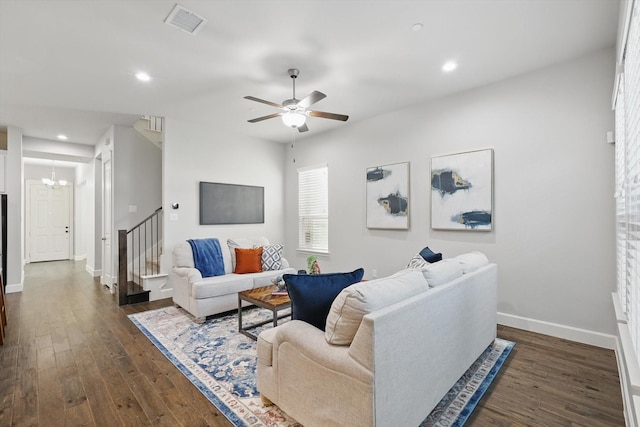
(553, 239)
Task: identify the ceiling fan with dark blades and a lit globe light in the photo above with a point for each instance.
(294, 112)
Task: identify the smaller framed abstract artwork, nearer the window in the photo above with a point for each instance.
(387, 196)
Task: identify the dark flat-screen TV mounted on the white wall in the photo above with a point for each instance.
(231, 204)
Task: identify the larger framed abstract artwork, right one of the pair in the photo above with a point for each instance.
(462, 191)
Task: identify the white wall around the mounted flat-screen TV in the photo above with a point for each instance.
(194, 153)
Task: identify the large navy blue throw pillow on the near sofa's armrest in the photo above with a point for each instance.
(312, 294)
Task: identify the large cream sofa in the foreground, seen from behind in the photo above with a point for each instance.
(404, 356)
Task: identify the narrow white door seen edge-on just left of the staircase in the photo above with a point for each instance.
(108, 268)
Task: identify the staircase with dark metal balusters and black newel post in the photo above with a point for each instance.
(139, 256)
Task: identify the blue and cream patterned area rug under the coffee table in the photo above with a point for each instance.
(221, 363)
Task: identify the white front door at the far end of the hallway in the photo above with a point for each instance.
(49, 227)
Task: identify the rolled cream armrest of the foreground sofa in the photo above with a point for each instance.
(309, 342)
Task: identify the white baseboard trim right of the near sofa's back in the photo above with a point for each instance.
(584, 336)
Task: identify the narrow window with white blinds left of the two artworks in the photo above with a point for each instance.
(313, 209)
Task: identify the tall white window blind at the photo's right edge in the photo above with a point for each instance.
(628, 181)
